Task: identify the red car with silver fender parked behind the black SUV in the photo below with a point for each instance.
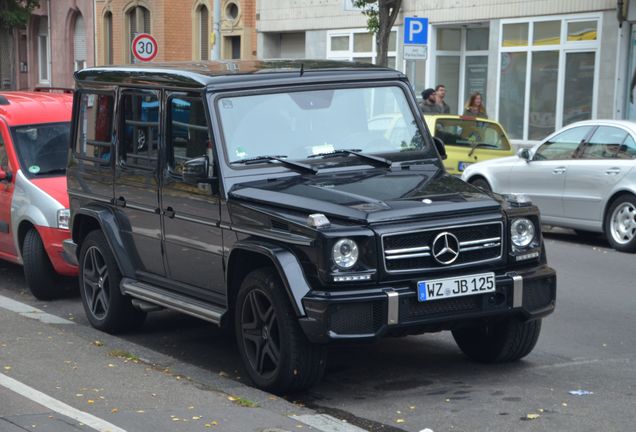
(34, 214)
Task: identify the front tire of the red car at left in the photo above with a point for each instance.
(41, 278)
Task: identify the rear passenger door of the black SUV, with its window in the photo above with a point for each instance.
(137, 177)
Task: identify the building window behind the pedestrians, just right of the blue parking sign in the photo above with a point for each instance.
(461, 63)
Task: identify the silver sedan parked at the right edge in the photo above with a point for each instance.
(581, 177)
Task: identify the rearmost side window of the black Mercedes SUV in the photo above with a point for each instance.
(95, 127)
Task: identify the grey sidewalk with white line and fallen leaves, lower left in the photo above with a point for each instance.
(125, 386)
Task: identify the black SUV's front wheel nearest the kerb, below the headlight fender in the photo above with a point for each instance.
(276, 354)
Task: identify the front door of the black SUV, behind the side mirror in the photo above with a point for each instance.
(191, 212)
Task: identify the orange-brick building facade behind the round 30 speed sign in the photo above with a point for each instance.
(183, 29)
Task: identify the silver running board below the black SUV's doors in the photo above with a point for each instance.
(171, 300)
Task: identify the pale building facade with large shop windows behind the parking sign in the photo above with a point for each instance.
(539, 64)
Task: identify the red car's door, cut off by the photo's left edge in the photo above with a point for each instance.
(7, 248)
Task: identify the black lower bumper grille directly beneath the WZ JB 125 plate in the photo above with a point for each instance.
(411, 309)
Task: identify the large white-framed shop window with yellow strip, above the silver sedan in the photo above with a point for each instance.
(534, 99)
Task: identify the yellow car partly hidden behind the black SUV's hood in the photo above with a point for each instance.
(468, 140)
